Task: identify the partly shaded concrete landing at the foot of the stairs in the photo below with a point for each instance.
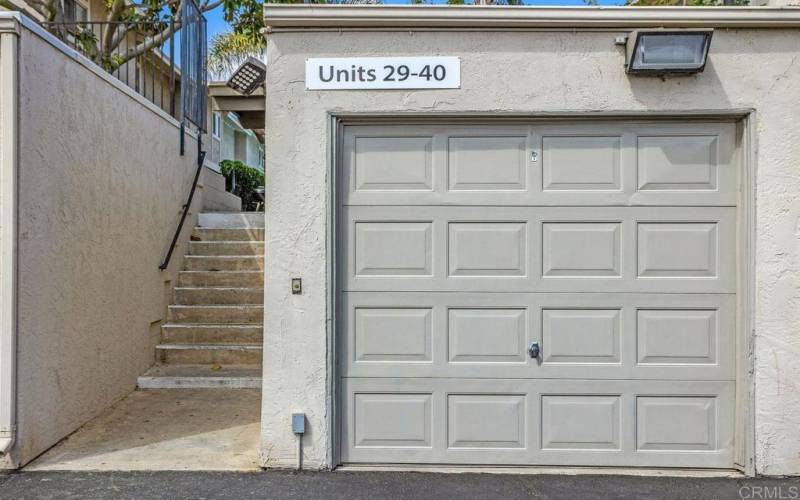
(166, 429)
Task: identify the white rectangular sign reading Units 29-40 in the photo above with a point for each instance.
(365, 73)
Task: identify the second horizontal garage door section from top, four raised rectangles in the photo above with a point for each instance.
(538, 249)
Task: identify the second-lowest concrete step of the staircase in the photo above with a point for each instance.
(198, 354)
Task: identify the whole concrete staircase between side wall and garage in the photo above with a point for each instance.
(214, 329)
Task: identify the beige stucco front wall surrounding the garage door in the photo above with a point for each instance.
(522, 72)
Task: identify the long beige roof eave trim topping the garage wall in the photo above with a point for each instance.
(291, 17)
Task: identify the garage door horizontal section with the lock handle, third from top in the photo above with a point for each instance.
(602, 336)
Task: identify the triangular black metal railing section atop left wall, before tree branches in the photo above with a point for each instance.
(139, 54)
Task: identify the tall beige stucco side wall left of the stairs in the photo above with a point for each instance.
(101, 185)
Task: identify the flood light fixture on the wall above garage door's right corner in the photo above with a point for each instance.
(661, 52)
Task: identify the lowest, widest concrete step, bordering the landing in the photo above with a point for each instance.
(201, 376)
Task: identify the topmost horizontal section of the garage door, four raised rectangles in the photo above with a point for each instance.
(599, 163)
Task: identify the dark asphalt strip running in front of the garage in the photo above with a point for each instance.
(380, 486)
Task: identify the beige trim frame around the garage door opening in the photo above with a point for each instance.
(745, 148)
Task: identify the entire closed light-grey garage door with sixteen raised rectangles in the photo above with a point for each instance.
(612, 246)
